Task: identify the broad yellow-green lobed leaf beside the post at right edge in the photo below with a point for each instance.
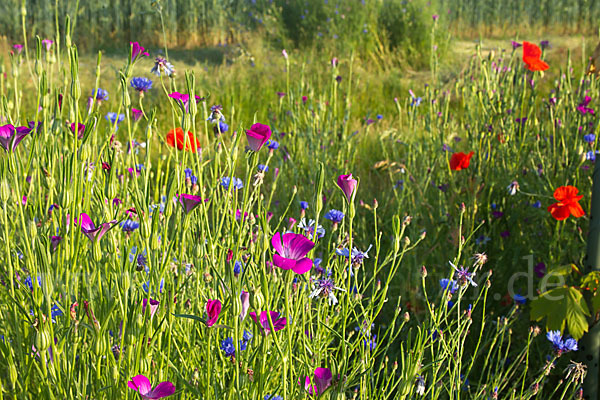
(560, 306)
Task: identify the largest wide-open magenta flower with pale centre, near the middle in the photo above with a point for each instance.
(292, 252)
